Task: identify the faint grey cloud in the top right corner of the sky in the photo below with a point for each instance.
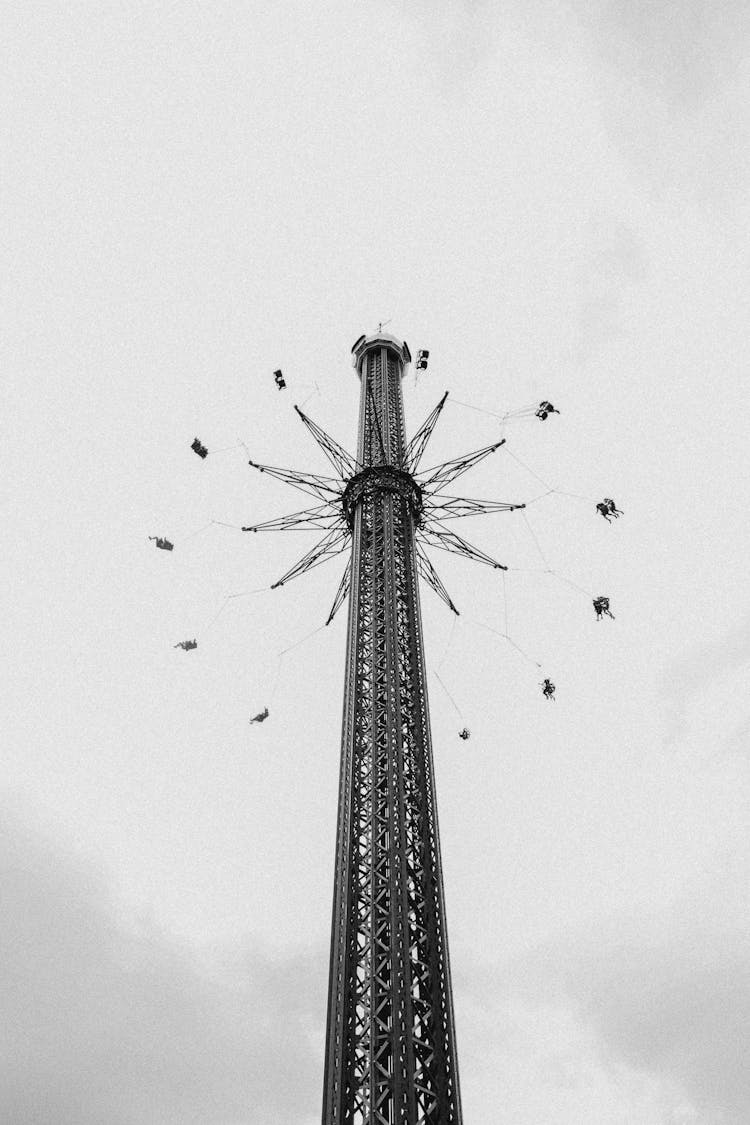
(672, 88)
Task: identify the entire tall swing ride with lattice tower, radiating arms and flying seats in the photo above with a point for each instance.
(391, 1039)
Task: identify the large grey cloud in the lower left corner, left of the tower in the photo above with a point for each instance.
(110, 1022)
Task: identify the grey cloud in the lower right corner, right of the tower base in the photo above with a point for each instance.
(665, 997)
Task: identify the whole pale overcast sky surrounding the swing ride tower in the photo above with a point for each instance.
(554, 201)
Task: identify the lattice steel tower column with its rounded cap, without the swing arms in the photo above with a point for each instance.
(391, 1045)
